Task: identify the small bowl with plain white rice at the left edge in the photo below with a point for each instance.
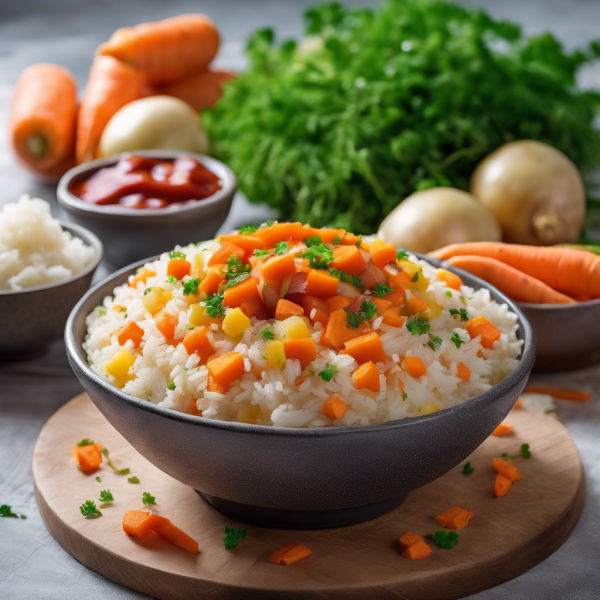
(46, 265)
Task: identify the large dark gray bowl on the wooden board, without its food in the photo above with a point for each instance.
(299, 478)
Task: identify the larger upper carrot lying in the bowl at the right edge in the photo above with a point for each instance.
(568, 270)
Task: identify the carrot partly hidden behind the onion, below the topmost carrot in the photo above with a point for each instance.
(201, 90)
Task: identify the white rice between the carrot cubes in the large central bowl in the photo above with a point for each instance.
(289, 397)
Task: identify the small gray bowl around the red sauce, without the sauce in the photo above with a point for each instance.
(131, 234)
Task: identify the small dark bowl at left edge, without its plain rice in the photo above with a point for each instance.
(31, 319)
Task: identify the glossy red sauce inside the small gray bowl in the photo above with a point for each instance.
(138, 182)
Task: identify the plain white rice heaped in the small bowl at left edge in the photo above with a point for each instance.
(34, 249)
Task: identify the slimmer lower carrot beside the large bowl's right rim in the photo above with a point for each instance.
(514, 283)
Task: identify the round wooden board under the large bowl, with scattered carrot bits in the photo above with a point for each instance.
(505, 537)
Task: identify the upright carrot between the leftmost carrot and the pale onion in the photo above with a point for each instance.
(111, 85)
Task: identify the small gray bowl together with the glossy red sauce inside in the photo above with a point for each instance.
(144, 203)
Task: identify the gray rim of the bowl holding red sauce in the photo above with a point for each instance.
(72, 203)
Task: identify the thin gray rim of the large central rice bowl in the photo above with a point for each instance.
(77, 356)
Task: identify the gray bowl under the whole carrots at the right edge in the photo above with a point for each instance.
(568, 335)
